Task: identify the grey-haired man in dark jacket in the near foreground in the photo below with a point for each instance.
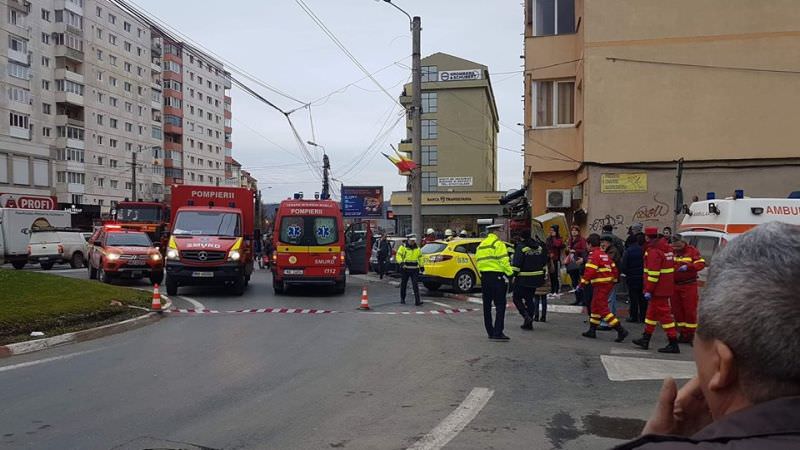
(746, 394)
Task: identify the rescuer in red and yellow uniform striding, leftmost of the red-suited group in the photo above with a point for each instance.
(602, 274)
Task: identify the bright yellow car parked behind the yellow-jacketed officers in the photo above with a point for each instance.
(452, 263)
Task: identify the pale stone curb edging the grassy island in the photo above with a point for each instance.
(21, 348)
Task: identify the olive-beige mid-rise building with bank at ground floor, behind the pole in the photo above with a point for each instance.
(459, 146)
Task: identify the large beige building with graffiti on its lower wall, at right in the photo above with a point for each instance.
(616, 91)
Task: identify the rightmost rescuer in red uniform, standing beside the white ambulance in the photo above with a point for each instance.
(688, 262)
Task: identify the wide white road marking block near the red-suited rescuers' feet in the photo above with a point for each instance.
(625, 368)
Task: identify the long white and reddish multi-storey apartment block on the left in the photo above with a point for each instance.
(93, 93)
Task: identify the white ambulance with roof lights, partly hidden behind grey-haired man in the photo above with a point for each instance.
(709, 225)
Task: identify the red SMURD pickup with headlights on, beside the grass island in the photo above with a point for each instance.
(118, 253)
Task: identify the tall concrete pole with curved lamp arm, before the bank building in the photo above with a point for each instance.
(416, 115)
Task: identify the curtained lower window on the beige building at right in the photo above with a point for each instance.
(554, 103)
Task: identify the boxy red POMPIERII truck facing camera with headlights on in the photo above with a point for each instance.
(212, 237)
